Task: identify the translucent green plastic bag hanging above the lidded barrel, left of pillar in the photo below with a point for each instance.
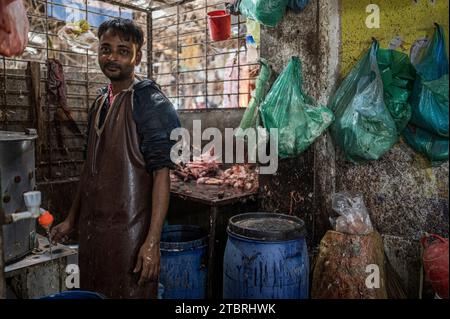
(297, 116)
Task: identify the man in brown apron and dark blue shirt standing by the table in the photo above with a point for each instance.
(124, 188)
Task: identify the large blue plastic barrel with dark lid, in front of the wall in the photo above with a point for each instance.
(266, 258)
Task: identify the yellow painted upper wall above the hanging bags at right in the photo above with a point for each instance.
(397, 18)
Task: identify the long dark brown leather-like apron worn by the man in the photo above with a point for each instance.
(115, 204)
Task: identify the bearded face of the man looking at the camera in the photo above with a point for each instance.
(117, 57)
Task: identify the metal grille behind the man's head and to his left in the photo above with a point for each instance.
(82, 73)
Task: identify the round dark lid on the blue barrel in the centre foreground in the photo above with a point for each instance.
(267, 226)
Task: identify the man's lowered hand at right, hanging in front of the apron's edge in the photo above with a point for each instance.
(148, 262)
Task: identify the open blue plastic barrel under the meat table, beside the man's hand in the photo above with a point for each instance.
(183, 262)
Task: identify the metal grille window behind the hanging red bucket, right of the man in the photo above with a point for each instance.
(194, 71)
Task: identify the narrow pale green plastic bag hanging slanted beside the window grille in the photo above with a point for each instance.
(251, 118)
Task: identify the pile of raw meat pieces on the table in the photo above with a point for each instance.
(206, 170)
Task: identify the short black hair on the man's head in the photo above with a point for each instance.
(125, 28)
